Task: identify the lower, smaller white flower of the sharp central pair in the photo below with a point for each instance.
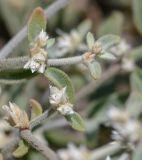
(66, 109)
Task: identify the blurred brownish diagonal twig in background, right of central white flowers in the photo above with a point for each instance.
(92, 86)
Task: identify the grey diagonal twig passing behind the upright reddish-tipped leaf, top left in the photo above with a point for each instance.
(14, 42)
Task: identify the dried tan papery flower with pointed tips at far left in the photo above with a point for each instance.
(15, 116)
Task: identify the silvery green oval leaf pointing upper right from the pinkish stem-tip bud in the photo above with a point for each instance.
(108, 41)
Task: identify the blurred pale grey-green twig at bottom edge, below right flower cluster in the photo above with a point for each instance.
(106, 150)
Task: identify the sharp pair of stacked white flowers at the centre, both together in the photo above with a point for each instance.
(58, 98)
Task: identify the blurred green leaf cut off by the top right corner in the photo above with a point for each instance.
(137, 14)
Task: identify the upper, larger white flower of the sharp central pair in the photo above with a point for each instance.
(57, 96)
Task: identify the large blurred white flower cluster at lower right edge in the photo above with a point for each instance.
(126, 128)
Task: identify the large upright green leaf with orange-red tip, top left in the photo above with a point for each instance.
(36, 24)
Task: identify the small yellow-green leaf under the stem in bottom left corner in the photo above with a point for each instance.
(21, 150)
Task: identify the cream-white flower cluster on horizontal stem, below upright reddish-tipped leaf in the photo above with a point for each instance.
(38, 59)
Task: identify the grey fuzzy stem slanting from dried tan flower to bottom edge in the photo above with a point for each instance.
(35, 143)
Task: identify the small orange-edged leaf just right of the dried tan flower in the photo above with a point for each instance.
(36, 108)
